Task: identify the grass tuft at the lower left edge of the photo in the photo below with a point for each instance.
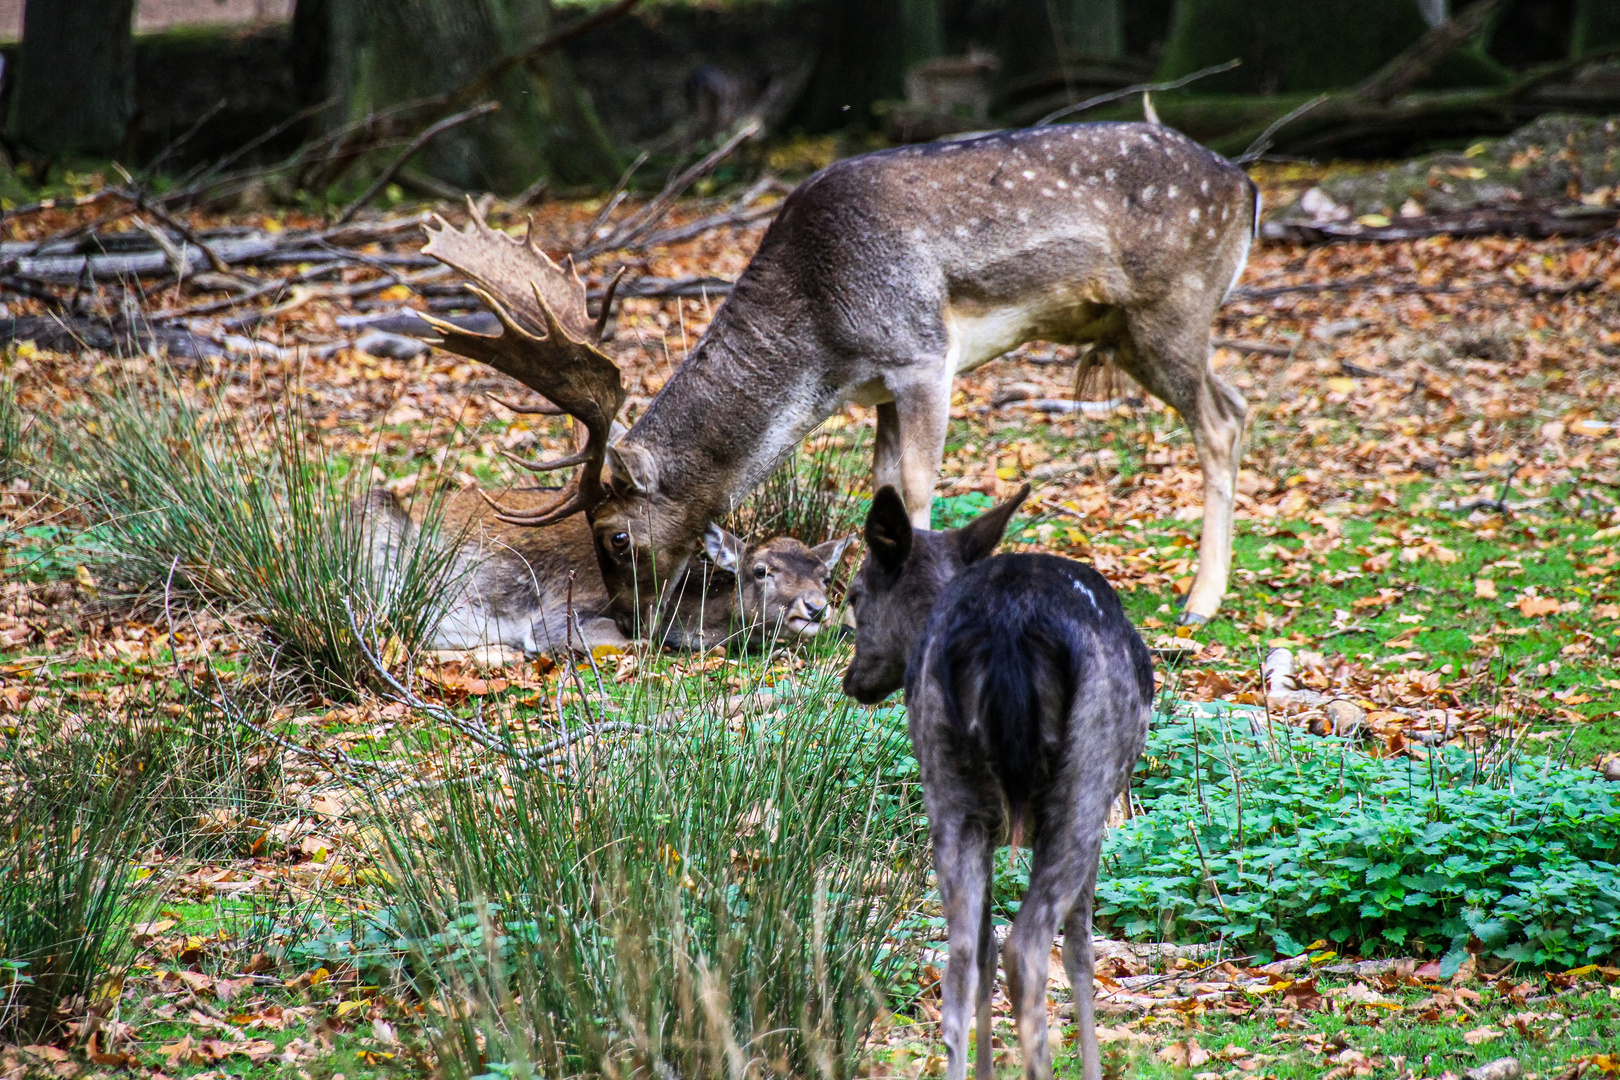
(74, 815)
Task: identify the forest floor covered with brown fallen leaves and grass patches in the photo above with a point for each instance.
(1428, 519)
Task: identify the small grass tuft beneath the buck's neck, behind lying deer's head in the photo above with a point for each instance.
(811, 495)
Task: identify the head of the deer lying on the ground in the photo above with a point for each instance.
(782, 584)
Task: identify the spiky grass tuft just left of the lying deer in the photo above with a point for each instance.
(252, 516)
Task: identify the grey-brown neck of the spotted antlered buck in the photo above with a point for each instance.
(738, 406)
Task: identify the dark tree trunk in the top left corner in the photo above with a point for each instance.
(75, 91)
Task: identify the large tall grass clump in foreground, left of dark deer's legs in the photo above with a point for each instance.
(709, 899)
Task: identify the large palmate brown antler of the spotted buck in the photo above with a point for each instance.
(548, 344)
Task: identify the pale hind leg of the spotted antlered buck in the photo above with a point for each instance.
(1169, 355)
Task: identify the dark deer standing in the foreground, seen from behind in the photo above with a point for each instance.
(1028, 697)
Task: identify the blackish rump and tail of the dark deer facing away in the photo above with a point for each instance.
(1013, 644)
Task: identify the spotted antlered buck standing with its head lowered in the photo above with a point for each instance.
(882, 279)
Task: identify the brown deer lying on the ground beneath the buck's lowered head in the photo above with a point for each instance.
(540, 590)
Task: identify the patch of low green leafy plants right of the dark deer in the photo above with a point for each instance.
(1274, 838)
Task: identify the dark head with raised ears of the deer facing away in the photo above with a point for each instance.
(902, 577)
